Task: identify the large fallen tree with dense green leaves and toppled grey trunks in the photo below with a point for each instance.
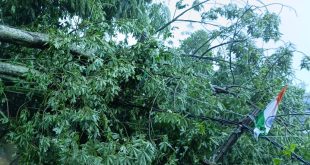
(73, 93)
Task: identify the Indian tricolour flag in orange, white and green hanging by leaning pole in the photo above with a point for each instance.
(265, 119)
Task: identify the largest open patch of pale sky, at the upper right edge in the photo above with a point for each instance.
(295, 28)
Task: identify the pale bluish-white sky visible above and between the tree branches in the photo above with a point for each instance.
(295, 27)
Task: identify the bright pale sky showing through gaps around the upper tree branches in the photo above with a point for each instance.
(293, 16)
